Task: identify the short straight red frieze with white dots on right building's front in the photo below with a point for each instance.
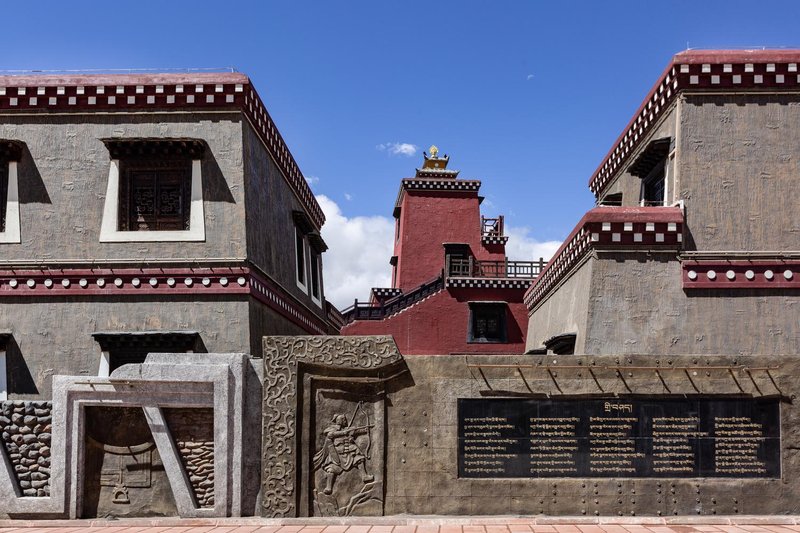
(741, 274)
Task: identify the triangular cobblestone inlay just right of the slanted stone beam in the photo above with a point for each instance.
(193, 432)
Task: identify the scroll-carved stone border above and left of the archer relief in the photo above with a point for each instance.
(286, 359)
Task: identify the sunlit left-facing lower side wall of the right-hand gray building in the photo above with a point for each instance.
(565, 311)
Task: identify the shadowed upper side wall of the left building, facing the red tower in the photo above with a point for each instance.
(270, 226)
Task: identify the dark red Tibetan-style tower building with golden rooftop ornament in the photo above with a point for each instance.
(453, 288)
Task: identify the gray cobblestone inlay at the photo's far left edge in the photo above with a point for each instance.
(26, 428)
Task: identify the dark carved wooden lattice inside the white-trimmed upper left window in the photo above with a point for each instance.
(155, 195)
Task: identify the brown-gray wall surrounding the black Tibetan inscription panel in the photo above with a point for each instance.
(422, 457)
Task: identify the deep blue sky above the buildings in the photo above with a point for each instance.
(526, 95)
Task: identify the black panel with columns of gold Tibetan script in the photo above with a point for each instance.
(707, 437)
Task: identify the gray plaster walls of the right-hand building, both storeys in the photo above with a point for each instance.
(732, 169)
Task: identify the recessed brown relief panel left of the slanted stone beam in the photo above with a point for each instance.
(124, 475)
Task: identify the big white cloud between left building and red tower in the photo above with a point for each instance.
(358, 254)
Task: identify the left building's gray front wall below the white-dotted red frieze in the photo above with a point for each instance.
(54, 336)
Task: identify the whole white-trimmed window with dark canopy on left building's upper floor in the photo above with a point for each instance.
(154, 191)
